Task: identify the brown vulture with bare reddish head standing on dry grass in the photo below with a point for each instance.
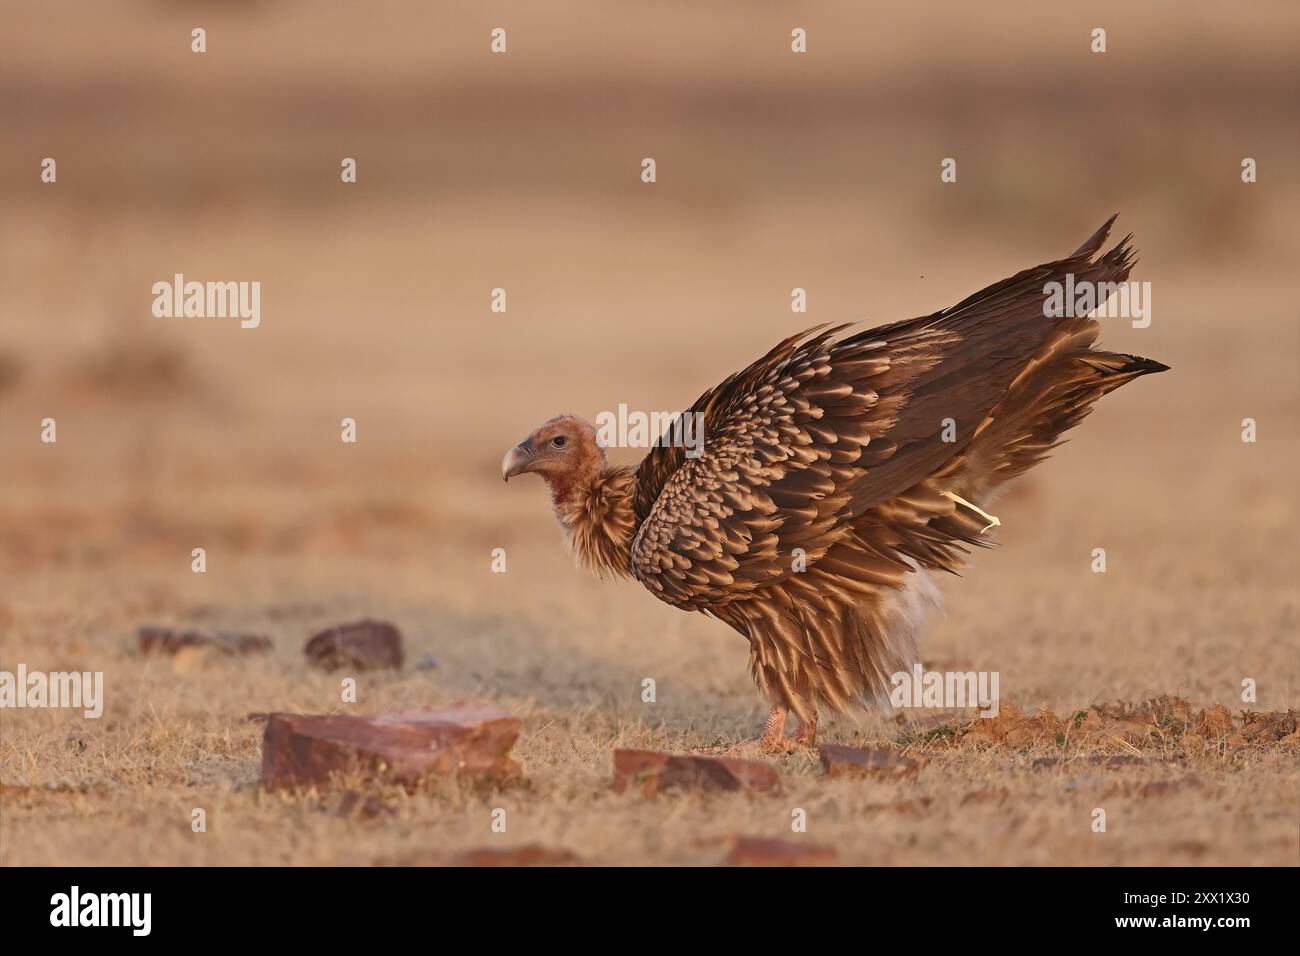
(837, 475)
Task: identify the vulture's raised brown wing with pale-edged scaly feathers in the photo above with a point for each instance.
(825, 429)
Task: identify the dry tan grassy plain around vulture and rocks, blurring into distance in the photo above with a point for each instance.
(775, 171)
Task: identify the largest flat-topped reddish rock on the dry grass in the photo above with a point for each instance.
(469, 741)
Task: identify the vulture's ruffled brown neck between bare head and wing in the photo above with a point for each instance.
(599, 520)
